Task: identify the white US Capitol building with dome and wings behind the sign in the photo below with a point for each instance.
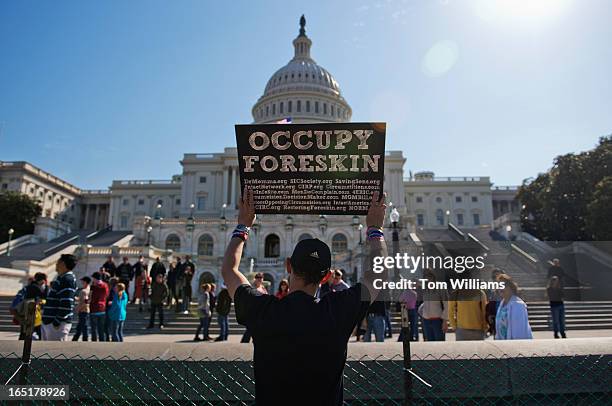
(194, 212)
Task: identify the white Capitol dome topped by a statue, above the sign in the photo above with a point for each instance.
(302, 90)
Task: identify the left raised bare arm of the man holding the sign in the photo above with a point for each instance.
(232, 277)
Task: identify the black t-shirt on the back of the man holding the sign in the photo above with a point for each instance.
(300, 343)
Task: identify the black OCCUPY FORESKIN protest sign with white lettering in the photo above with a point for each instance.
(327, 168)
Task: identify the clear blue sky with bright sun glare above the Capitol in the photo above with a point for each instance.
(96, 91)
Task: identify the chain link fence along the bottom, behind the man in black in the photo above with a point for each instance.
(576, 380)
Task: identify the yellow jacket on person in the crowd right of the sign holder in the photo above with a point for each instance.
(466, 314)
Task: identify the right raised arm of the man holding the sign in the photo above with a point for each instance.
(375, 242)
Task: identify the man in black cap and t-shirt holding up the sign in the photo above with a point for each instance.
(310, 336)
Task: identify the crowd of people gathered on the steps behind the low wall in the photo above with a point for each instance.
(99, 304)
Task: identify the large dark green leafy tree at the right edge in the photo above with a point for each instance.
(557, 204)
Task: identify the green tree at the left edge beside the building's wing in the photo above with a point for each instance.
(19, 212)
